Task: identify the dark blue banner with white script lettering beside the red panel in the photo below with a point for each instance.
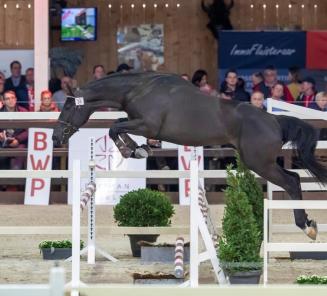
(255, 50)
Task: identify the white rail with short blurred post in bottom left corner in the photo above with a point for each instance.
(56, 286)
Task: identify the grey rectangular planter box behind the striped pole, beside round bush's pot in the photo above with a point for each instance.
(162, 254)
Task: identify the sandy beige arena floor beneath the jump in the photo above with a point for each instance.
(21, 261)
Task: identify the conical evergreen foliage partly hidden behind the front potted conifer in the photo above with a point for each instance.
(253, 190)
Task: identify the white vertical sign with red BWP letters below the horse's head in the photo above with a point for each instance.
(40, 146)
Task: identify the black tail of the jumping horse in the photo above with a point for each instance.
(304, 139)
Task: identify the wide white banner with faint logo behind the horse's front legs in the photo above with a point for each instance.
(107, 157)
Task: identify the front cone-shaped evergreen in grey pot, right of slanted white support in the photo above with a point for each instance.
(239, 245)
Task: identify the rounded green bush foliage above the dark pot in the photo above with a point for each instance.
(144, 207)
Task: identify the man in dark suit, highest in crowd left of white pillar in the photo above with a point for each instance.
(17, 83)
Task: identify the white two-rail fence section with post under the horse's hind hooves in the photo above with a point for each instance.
(281, 247)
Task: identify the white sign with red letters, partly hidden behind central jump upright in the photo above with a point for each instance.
(184, 161)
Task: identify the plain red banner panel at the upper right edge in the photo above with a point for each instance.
(316, 50)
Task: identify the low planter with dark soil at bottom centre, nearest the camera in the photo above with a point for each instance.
(156, 279)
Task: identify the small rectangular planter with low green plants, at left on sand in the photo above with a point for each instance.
(57, 249)
